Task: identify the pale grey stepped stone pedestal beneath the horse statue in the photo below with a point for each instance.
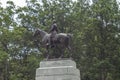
(57, 70)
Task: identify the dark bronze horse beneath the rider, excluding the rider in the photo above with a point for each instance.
(62, 39)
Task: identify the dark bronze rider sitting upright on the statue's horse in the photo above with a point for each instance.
(53, 31)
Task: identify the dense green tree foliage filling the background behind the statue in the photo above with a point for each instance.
(95, 44)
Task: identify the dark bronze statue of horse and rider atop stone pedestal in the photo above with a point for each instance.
(53, 39)
